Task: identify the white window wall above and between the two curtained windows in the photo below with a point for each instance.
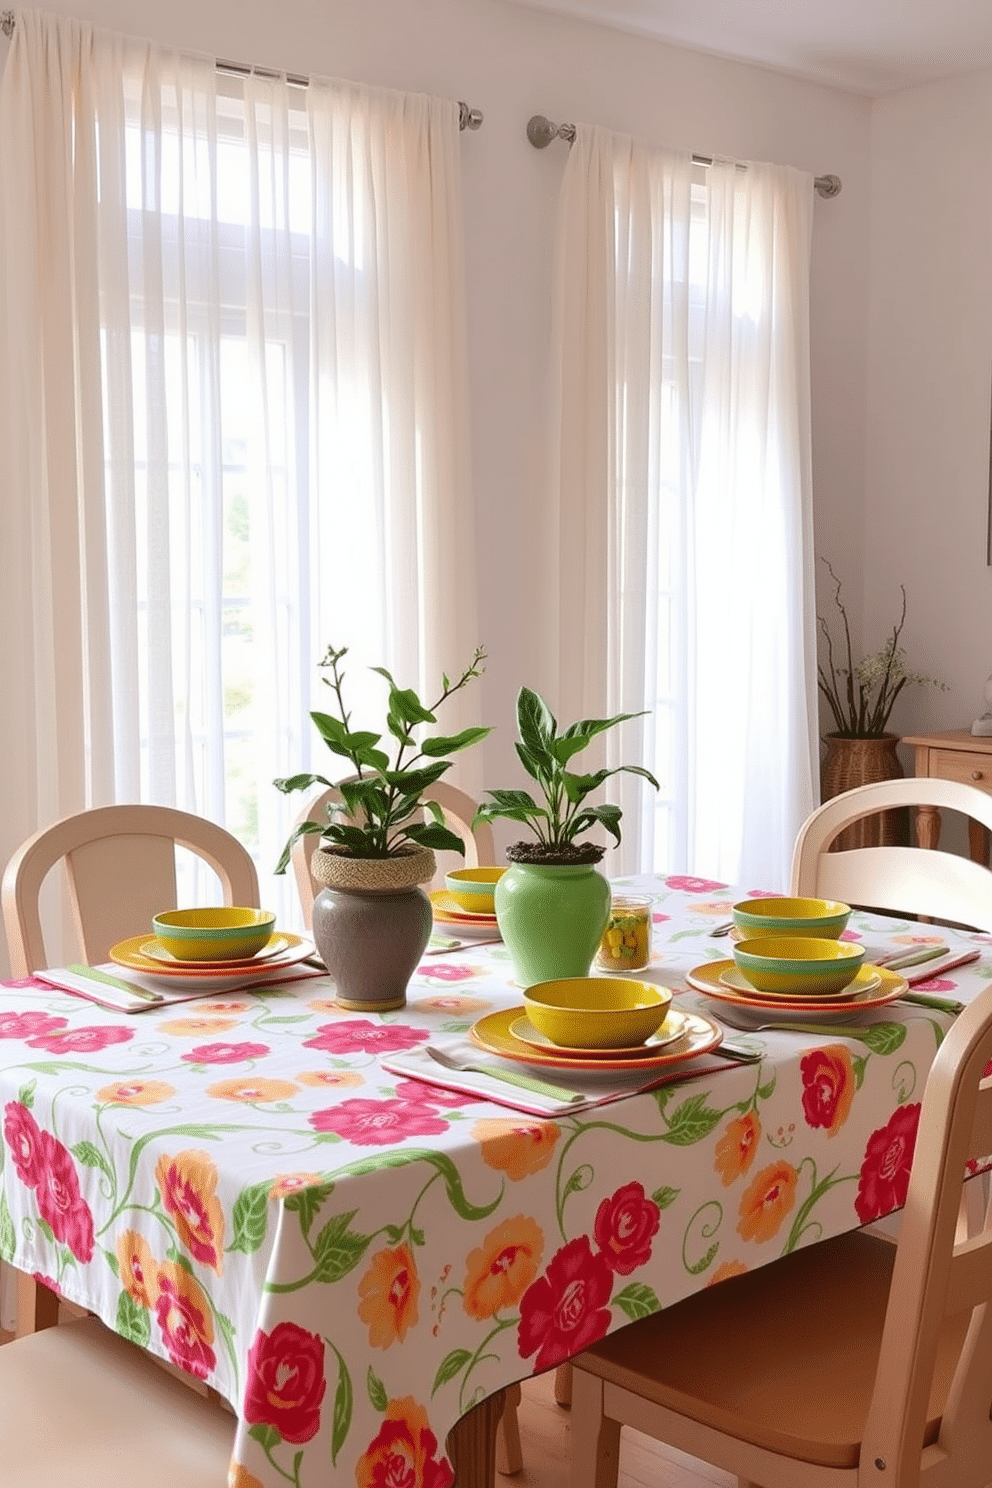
(514, 63)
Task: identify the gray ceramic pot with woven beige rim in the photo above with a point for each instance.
(371, 925)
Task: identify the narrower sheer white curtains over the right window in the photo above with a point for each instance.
(683, 498)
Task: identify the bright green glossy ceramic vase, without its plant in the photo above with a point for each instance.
(553, 919)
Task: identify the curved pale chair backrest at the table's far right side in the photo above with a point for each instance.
(908, 880)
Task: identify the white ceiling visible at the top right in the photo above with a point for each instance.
(865, 47)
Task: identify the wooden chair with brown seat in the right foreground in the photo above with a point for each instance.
(850, 1361)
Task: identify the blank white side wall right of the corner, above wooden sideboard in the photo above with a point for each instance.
(930, 392)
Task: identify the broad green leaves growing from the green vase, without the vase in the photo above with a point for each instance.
(547, 755)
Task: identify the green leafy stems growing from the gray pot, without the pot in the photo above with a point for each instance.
(384, 804)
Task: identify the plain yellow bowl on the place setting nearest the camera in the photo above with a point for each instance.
(597, 1013)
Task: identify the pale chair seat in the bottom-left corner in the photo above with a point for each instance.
(83, 1408)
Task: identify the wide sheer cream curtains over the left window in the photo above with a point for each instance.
(233, 408)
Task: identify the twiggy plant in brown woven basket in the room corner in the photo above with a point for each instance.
(860, 749)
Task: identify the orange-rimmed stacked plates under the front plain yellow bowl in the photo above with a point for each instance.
(511, 1036)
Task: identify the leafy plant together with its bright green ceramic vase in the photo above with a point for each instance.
(553, 904)
